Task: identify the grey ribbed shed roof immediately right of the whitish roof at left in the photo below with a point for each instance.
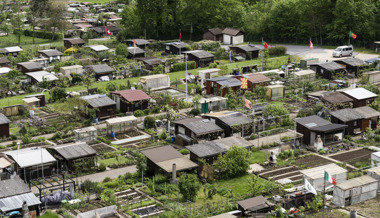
(74, 151)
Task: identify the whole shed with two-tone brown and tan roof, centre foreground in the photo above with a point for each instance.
(161, 159)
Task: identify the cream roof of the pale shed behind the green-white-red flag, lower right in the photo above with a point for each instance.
(319, 172)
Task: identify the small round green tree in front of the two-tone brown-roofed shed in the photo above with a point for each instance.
(188, 185)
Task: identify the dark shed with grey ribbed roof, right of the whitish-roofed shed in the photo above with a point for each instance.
(69, 155)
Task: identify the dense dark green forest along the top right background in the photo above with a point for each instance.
(326, 22)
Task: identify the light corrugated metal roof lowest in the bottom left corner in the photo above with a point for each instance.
(15, 202)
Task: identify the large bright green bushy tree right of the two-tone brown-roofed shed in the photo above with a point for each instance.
(235, 162)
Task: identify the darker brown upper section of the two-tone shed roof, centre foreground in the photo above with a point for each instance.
(162, 153)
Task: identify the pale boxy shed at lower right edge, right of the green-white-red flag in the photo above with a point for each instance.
(355, 190)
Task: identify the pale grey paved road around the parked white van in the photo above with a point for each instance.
(322, 53)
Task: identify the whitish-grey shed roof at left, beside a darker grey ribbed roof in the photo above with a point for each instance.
(33, 156)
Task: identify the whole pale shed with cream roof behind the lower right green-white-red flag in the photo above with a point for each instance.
(316, 175)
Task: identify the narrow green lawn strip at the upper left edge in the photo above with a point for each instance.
(26, 41)
